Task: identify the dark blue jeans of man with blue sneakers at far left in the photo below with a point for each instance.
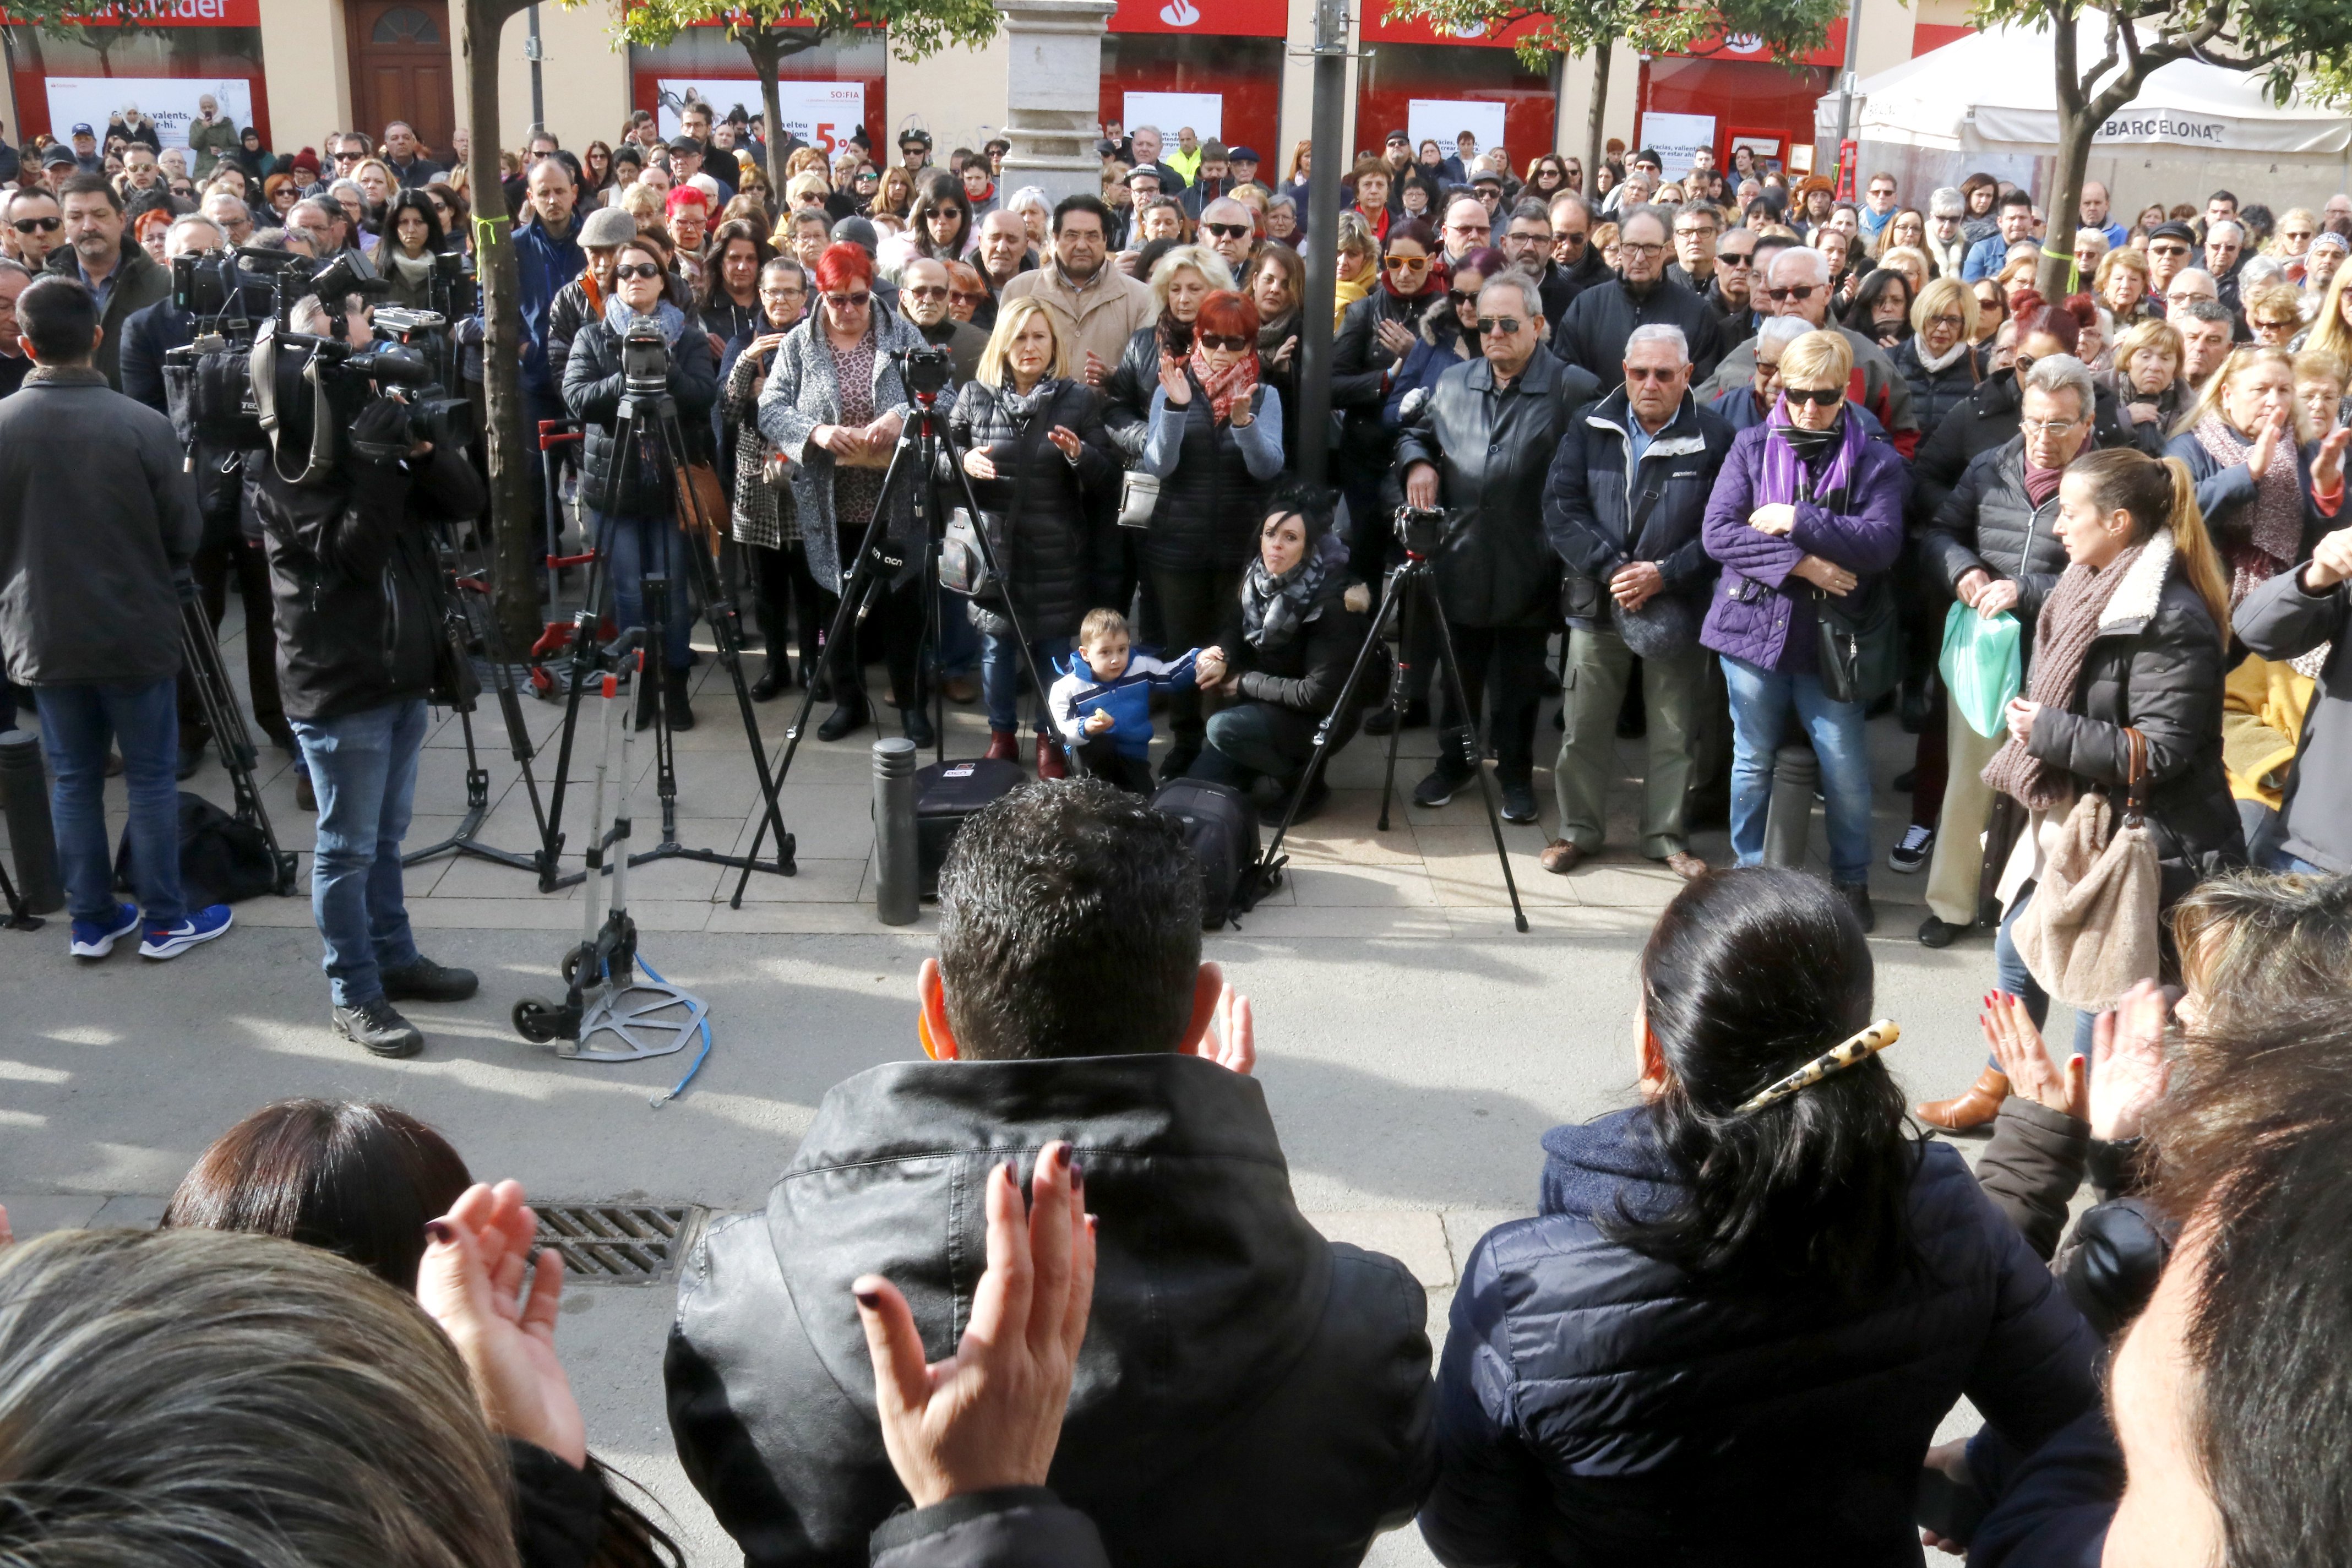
(74, 730)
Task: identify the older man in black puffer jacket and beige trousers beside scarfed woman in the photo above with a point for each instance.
(1996, 549)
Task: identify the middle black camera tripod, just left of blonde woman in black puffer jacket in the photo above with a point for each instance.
(914, 462)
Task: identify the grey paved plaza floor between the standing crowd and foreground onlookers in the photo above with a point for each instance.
(1412, 1045)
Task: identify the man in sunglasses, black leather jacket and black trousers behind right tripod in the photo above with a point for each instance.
(1481, 450)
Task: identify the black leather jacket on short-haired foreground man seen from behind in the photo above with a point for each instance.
(1248, 1393)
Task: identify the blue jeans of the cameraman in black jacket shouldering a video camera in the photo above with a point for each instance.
(363, 768)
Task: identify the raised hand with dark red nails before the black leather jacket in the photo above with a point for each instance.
(991, 1414)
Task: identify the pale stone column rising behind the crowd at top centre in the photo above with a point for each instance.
(1055, 95)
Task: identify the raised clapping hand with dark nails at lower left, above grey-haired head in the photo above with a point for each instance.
(472, 1285)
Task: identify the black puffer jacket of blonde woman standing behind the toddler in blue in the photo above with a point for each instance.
(1045, 516)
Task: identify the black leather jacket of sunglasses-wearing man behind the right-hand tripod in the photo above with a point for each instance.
(1495, 453)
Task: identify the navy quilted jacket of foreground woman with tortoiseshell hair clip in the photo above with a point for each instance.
(1598, 1407)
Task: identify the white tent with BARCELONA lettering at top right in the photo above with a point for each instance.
(1991, 102)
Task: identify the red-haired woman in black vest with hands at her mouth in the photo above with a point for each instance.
(1217, 448)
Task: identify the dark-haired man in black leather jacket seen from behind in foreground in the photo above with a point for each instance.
(1248, 1393)
